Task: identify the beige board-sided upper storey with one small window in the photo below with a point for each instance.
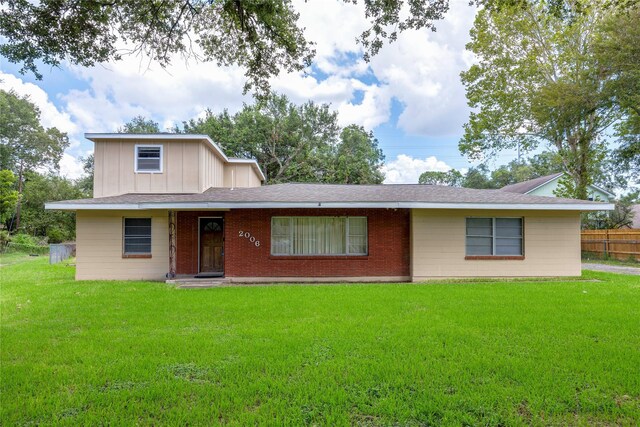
(165, 163)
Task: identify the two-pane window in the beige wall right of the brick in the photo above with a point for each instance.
(494, 236)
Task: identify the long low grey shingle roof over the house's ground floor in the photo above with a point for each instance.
(334, 194)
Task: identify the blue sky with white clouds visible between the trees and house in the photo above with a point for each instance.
(410, 94)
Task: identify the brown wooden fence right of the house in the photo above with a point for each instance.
(620, 244)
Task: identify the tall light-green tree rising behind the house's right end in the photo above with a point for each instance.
(538, 83)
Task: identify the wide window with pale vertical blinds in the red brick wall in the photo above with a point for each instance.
(318, 235)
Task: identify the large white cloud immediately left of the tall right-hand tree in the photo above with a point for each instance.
(422, 70)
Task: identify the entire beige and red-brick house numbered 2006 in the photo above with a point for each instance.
(168, 204)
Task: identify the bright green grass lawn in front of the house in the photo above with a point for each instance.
(124, 353)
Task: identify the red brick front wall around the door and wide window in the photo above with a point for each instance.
(388, 236)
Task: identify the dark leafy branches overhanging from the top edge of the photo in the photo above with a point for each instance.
(262, 36)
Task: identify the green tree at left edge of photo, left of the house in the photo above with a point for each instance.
(25, 145)
